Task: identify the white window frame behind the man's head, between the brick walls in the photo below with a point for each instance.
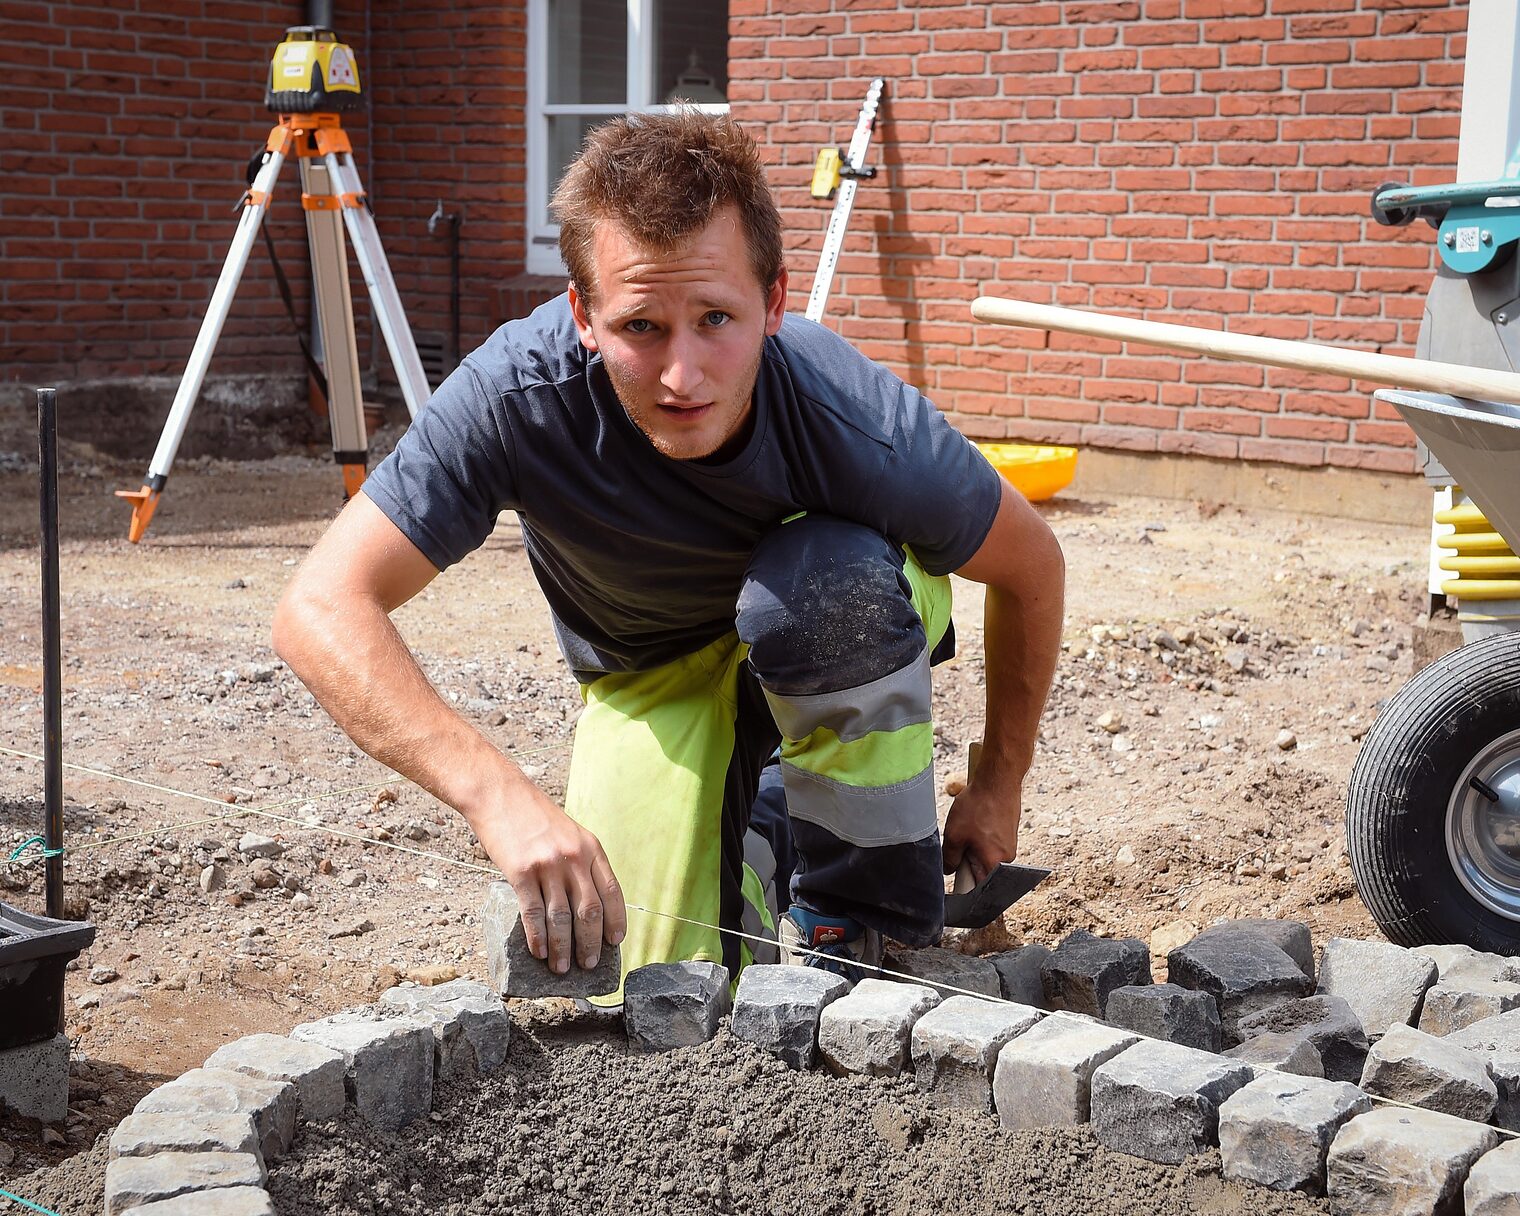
(543, 238)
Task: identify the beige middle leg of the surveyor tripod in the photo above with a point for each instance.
(335, 314)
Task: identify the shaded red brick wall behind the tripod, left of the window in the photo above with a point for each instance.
(128, 127)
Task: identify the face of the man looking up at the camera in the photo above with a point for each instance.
(680, 332)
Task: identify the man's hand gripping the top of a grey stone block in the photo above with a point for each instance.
(566, 890)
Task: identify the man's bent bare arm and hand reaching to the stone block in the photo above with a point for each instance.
(334, 629)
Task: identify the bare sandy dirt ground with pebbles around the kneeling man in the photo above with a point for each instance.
(1220, 670)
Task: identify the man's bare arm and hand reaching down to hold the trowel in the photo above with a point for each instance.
(1025, 574)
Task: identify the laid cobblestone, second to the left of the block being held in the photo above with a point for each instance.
(388, 1065)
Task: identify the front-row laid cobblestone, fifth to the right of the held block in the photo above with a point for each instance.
(1045, 1077)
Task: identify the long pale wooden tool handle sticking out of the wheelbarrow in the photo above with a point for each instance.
(1246, 349)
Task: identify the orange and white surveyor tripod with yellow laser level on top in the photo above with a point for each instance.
(334, 200)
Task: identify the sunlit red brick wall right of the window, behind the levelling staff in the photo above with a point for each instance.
(1205, 162)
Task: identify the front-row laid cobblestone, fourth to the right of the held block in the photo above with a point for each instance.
(955, 1048)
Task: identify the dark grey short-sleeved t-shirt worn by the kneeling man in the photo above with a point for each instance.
(642, 557)
